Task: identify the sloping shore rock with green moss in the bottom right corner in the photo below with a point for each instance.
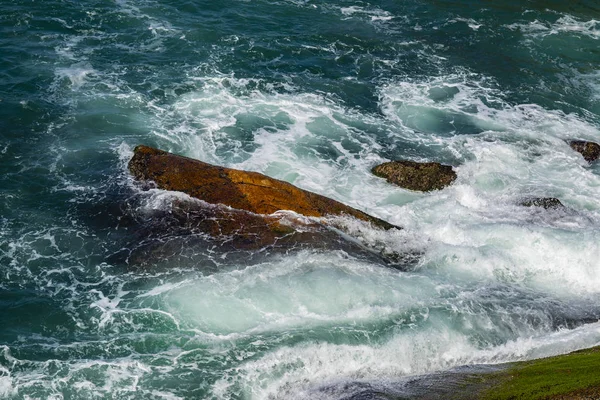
(572, 376)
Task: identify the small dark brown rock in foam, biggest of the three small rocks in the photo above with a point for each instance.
(412, 175)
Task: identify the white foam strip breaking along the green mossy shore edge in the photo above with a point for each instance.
(297, 372)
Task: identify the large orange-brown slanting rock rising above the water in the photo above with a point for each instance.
(244, 190)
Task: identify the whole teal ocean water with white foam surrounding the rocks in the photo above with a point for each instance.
(101, 297)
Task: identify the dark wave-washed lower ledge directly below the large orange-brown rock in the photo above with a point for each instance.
(194, 234)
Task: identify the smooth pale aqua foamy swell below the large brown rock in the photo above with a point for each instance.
(286, 293)
